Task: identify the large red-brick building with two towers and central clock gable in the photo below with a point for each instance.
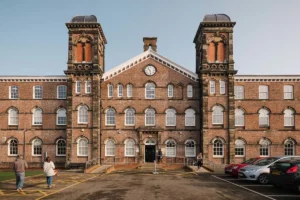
(148, 103)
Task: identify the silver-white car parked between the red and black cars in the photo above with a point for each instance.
(260, 170)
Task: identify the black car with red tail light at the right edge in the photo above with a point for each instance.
(285, 174)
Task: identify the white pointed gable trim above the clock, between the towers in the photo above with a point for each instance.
(145, 55)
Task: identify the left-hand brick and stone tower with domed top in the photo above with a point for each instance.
(85, 68)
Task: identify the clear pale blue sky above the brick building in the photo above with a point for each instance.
(34, 38)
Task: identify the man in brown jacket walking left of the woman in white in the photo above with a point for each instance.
(19, 167)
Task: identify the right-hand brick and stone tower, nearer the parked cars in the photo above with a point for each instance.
(215, 68)
